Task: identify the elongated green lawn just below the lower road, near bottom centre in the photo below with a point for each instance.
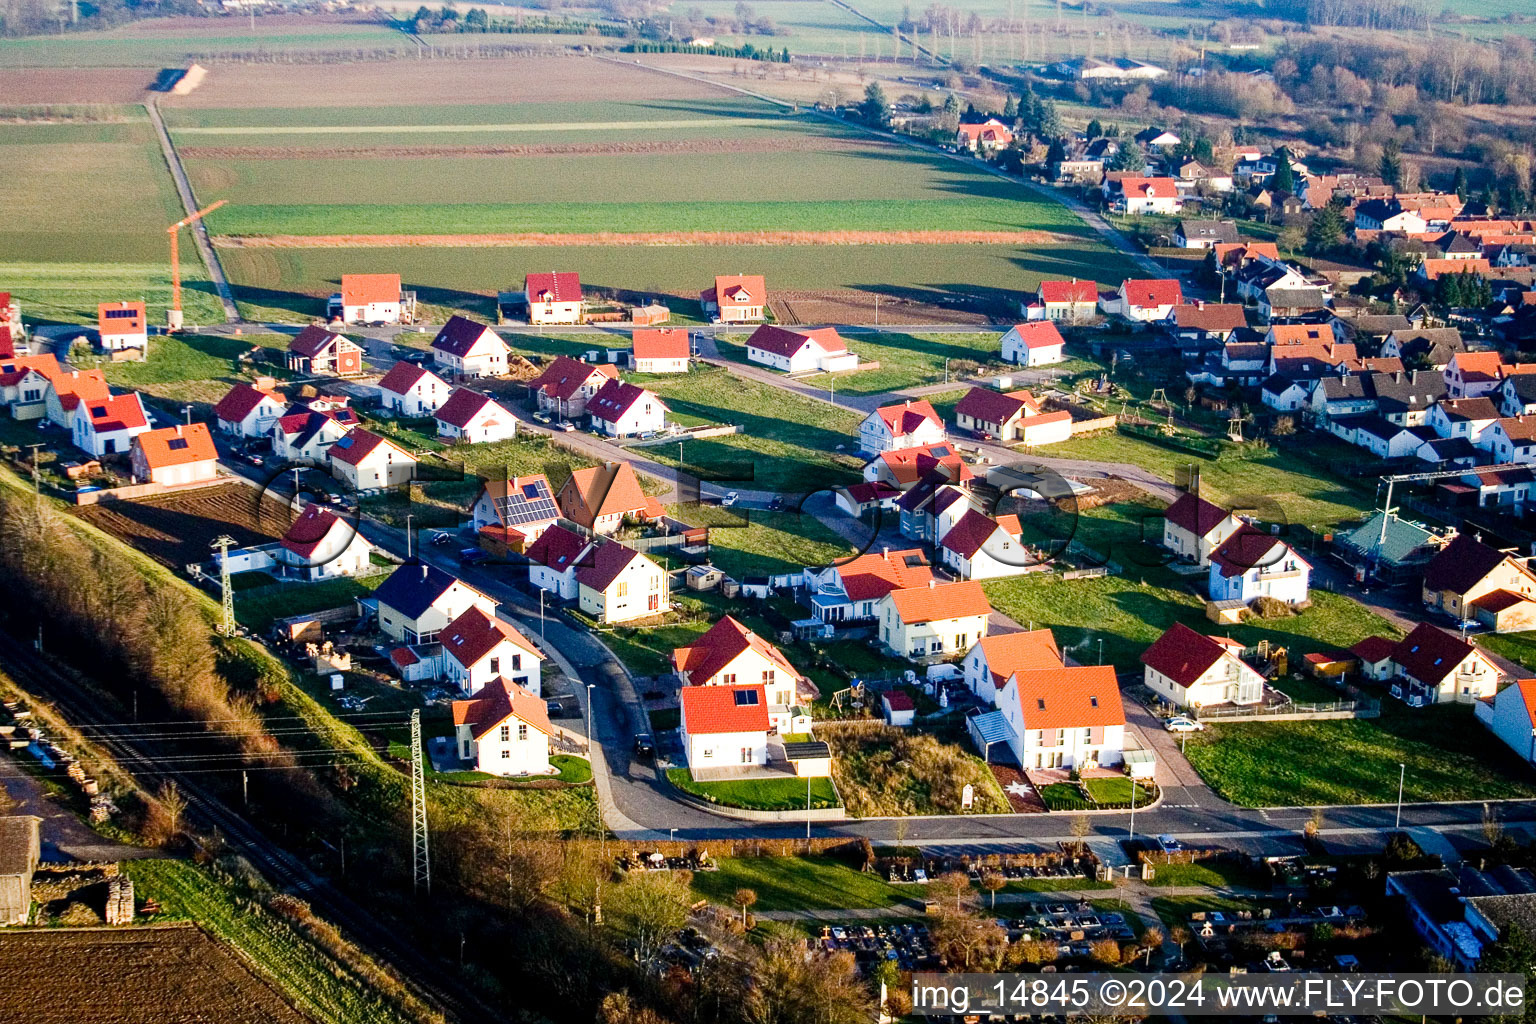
(801, 884)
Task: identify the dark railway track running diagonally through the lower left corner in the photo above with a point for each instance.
(282, 868)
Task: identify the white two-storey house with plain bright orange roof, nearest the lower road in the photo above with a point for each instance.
(1064, 718)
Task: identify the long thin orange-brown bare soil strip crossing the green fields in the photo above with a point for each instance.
(649, 239)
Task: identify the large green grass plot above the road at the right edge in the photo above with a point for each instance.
(1449, 756)
